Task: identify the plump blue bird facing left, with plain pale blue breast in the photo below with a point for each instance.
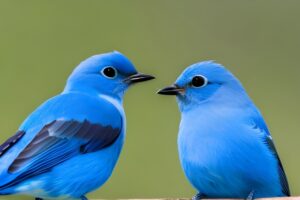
(225, 148)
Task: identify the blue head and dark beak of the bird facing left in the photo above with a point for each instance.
(204, 82)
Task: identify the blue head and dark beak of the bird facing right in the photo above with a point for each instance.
(109, 74)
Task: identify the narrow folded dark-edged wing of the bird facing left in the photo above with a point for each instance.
(260, 124)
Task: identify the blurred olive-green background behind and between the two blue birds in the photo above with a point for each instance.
(259, 41)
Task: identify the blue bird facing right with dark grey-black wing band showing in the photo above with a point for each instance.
(70, 144)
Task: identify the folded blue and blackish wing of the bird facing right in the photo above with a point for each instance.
(57, 142)
